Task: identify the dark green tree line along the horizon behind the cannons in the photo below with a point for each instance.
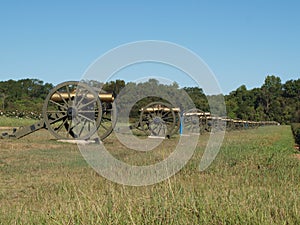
(272, 101)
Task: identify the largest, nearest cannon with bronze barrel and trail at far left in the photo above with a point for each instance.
(73, 110)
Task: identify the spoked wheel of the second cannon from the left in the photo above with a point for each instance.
(158, 119)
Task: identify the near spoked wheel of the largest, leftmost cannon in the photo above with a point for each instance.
(74, 117)
